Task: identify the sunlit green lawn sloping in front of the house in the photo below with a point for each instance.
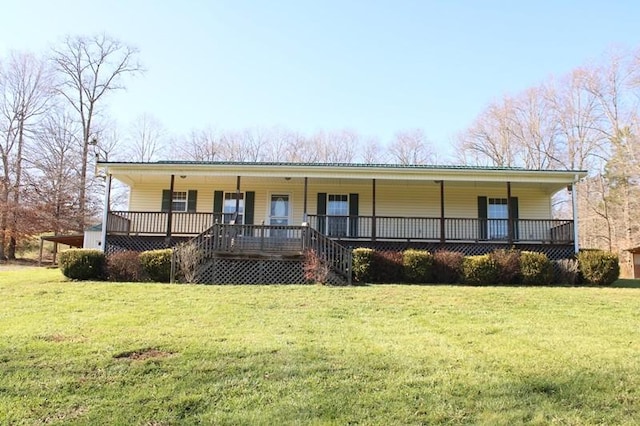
(155, 354)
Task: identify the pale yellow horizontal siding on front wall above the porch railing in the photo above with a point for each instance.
(393, 198)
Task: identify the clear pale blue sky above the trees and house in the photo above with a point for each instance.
(375, 67)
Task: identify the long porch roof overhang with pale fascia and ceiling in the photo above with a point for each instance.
(134, 174)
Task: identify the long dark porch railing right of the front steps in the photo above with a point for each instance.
(556, 231)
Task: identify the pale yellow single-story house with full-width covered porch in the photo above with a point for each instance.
(281, 208)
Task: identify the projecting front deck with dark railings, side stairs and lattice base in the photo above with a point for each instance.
(256, 254)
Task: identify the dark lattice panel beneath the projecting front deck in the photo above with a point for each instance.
(247, 270)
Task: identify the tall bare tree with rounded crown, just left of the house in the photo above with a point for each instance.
(88, 69)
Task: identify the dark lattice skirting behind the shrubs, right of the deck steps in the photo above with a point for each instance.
(553, 251)
